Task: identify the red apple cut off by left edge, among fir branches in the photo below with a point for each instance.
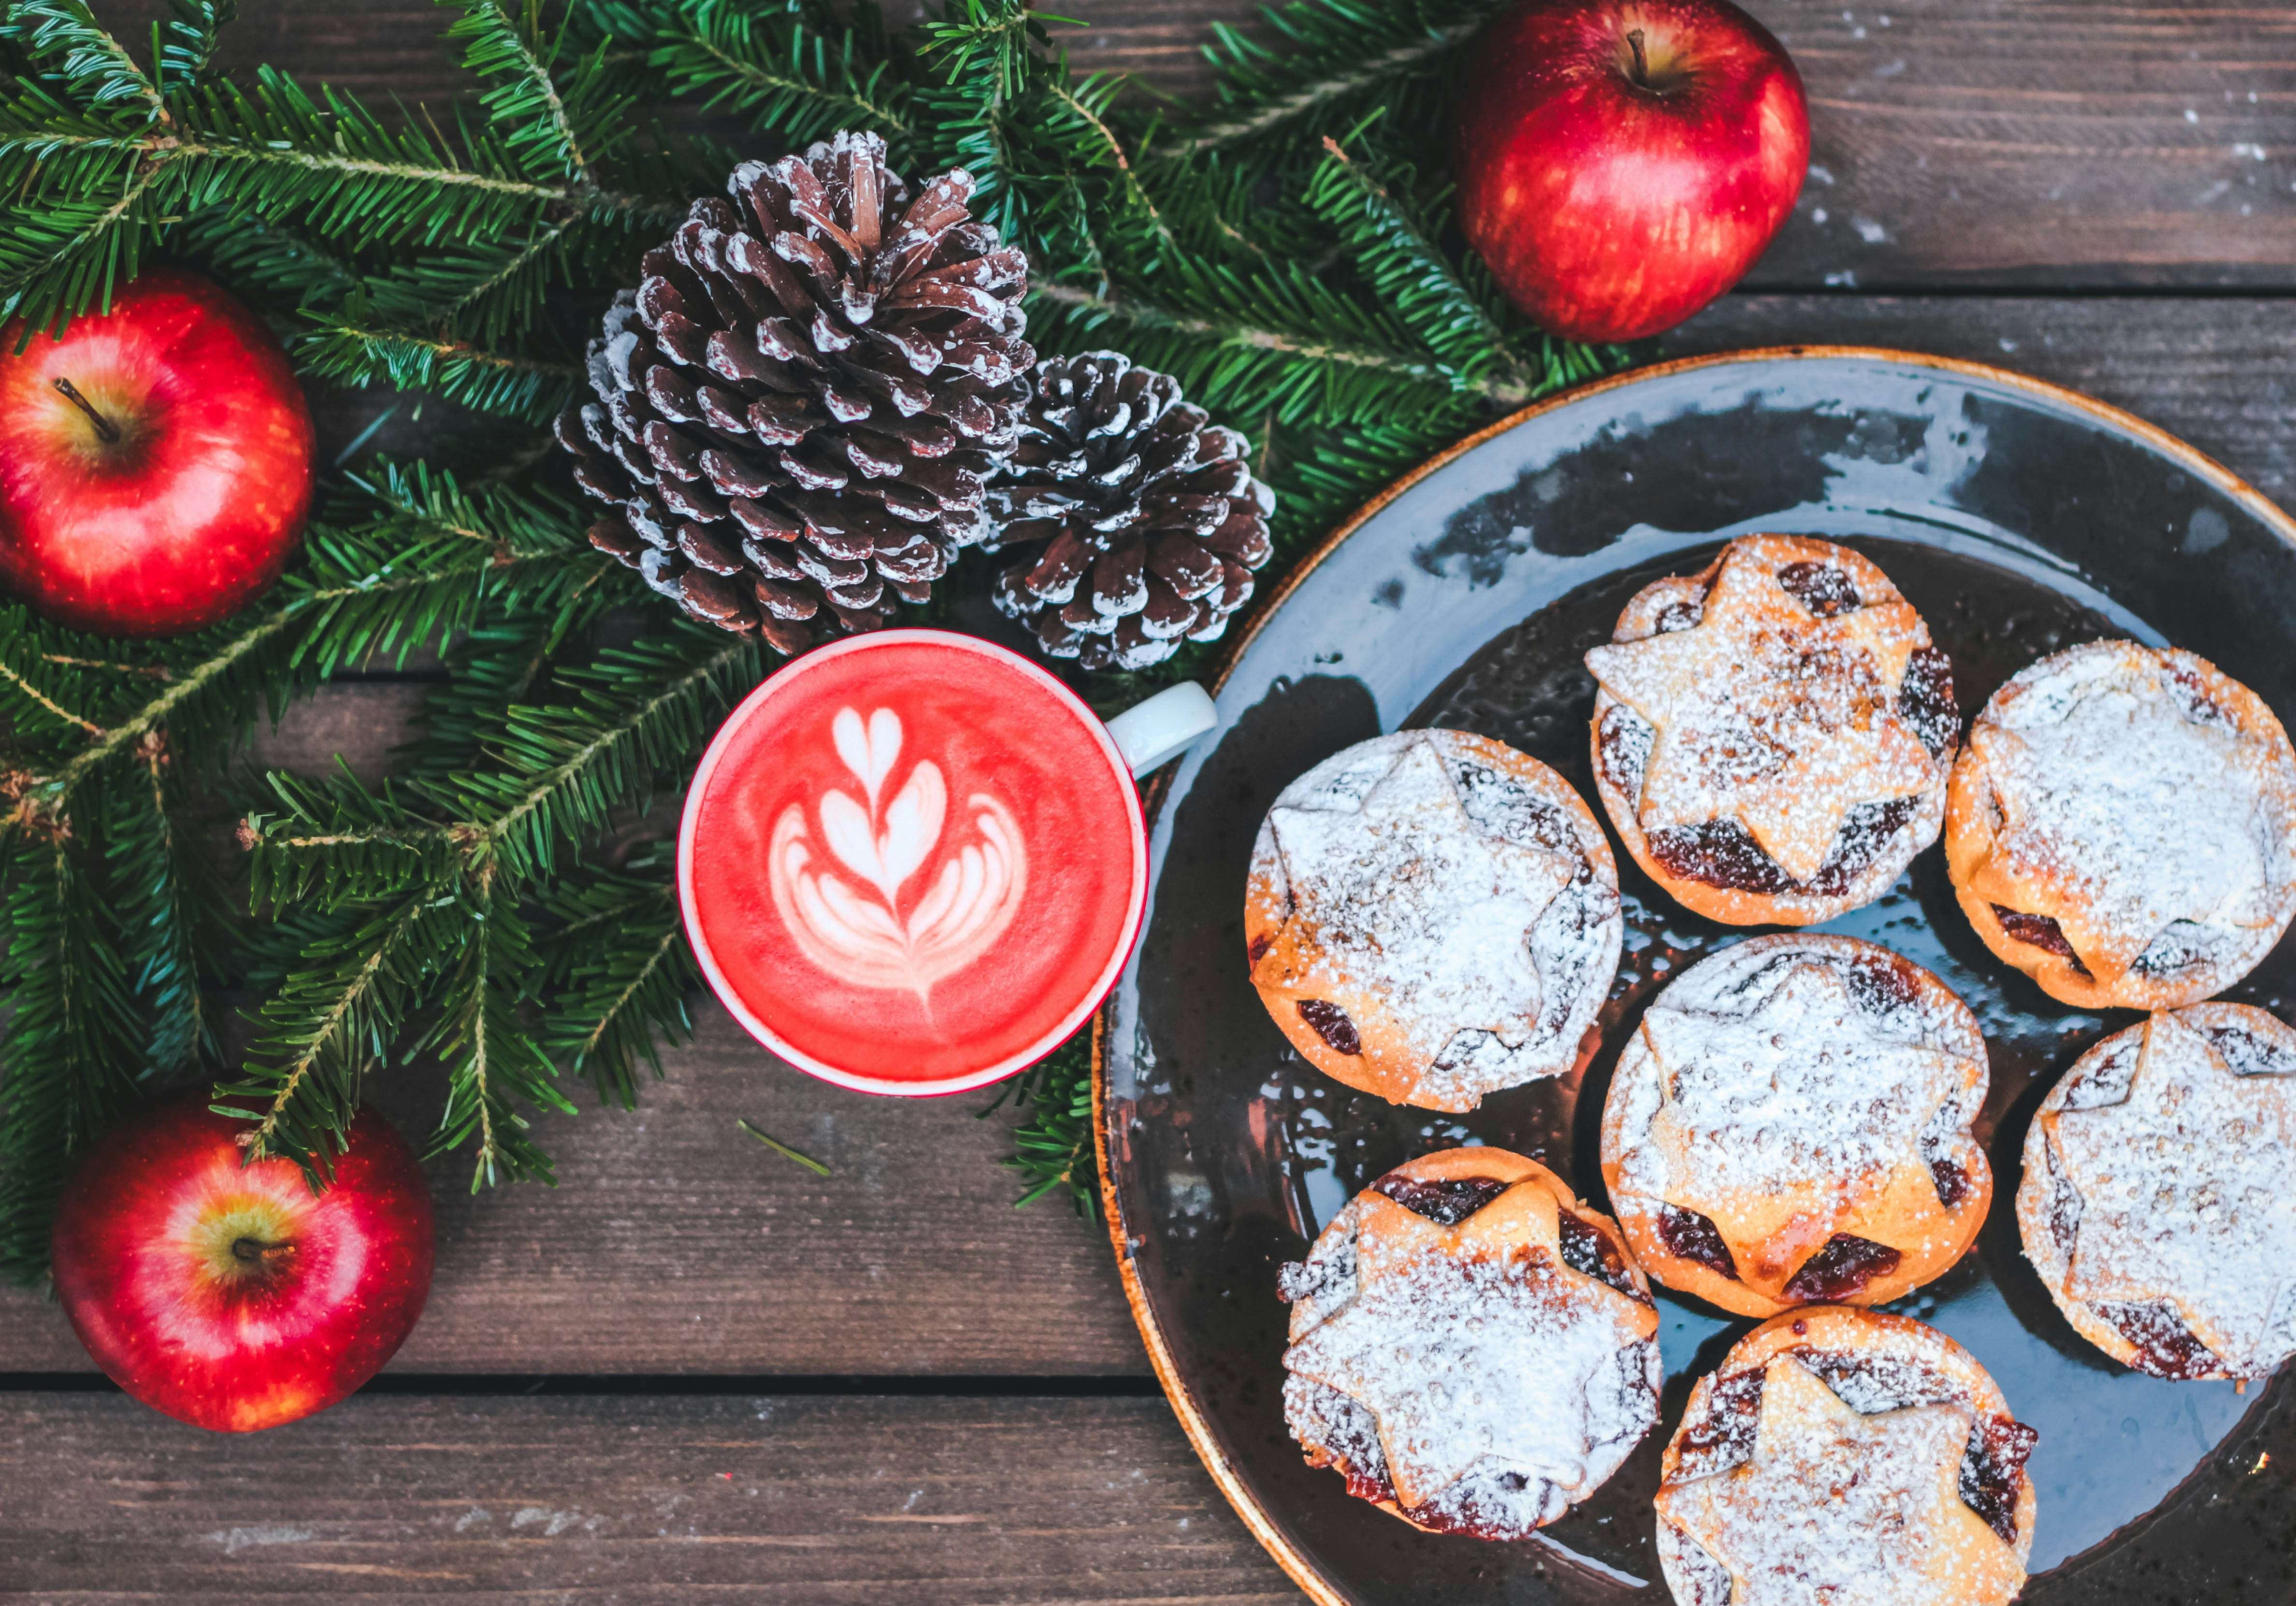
(155, 462)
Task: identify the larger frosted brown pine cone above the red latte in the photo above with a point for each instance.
(800, 405)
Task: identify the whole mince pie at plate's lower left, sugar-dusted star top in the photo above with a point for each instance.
(1471, 1346)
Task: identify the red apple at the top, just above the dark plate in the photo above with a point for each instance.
(1624, 162)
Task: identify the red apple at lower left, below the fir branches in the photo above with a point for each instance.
(228, 1295)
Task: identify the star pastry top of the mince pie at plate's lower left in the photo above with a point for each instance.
(1477, 1343)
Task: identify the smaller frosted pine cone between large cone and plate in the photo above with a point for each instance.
(1140, 515)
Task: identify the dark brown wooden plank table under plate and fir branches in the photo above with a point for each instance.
(699, 1373)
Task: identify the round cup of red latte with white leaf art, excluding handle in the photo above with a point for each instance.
(913, 864)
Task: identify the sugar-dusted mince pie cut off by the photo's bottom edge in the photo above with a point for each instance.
(1845, 1456)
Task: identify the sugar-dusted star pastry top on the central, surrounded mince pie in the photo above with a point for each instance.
(1790, 1118)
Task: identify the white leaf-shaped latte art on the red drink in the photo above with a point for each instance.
(862, 933)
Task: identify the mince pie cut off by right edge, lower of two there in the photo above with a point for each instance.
(2159, 1199)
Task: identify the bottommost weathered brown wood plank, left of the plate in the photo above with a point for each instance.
(635, 1502)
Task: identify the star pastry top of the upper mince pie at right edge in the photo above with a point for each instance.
(2120, 816)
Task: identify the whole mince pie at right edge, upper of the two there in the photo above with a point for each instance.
(2123, 827)
